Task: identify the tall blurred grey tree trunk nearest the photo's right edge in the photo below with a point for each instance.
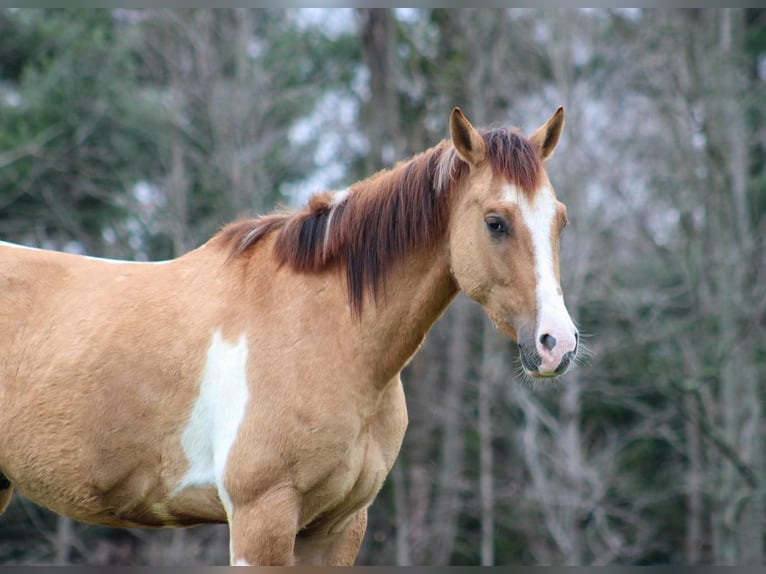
(741, 519)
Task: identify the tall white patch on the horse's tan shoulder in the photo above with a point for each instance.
(217, 414)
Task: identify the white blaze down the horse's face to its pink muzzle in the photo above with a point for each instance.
(553, 319)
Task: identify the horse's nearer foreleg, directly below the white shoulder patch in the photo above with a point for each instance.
(262, 531)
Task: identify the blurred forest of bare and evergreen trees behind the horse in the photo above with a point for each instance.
(138, 133)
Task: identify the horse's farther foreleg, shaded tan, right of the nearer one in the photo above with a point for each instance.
(335, 548)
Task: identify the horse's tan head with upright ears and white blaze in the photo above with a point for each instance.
(504, 240)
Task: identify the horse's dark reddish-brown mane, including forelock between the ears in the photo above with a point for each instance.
(380, 219)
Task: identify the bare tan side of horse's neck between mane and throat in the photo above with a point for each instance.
(416, 295)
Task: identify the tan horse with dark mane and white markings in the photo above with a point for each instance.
(255, 380)
